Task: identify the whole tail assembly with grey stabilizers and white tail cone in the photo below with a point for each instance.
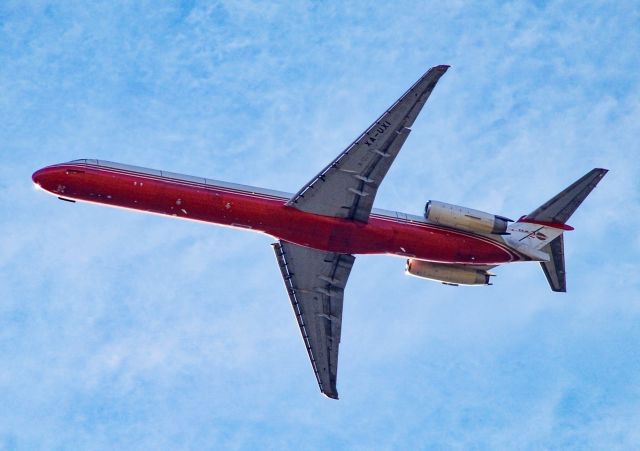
(538, 235)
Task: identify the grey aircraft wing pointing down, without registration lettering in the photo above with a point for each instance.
(315, 282)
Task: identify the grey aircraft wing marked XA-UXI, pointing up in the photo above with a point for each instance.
(347, 187)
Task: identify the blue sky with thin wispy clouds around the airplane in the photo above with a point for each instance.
(121, 330)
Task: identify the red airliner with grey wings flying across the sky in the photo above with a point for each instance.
(320, 228)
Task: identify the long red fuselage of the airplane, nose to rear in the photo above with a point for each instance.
(265, 211)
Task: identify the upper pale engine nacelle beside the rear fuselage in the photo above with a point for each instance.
(465, 218)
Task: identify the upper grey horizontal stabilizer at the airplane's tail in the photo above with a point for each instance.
(560, 208)
